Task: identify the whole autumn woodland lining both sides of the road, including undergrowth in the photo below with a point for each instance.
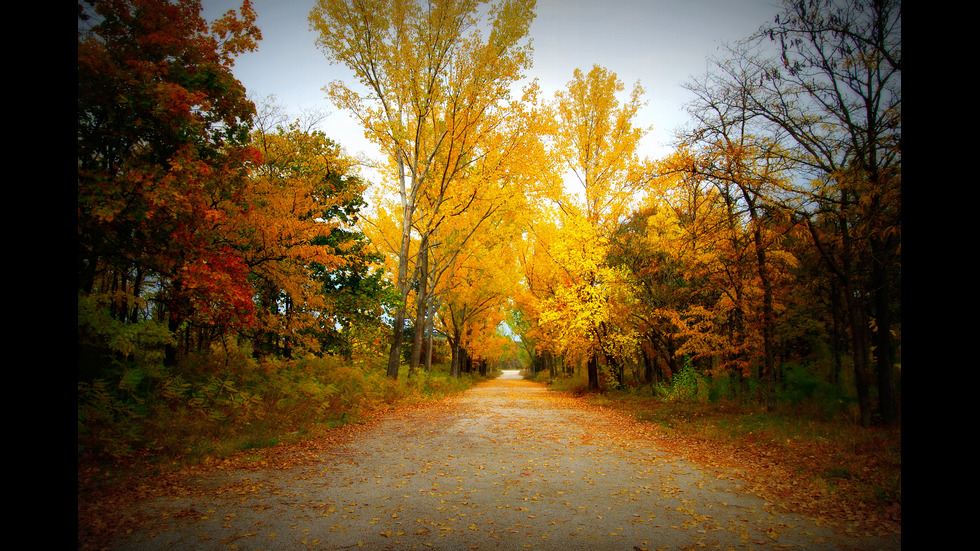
(236, 287)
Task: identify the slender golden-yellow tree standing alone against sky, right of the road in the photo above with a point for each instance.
(592, 137)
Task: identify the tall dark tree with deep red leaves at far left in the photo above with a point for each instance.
(163, 157)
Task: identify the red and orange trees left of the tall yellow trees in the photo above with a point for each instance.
(194, 213)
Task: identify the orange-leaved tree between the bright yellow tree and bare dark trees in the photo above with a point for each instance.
(688, 267)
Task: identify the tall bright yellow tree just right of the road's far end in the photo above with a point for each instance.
(595, 178)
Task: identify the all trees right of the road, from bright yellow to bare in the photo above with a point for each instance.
(771, 233)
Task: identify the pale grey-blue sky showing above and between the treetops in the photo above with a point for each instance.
(659, 43)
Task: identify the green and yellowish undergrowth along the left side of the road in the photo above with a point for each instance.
(226, 401)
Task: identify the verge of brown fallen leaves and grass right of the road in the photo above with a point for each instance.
(836, 472)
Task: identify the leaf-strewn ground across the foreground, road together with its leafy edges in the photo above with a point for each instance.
(507, 465)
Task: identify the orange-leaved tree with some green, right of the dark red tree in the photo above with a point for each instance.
(310, 266)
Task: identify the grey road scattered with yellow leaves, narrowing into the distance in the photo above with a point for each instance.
(509, 465)
